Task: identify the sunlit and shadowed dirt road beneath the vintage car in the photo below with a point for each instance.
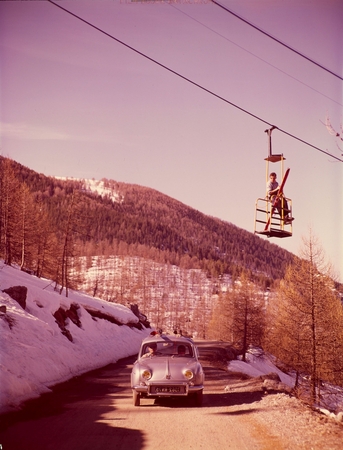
(95, 412)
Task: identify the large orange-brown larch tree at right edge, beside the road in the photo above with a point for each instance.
(306, 332)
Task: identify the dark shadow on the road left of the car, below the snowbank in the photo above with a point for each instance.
(72, 416)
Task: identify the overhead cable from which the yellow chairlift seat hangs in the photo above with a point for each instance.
(191, 81)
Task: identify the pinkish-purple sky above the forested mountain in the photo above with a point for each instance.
(78, 103)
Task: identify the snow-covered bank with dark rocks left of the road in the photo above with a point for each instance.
(47, 338)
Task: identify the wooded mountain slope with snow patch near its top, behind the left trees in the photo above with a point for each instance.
(110, 217)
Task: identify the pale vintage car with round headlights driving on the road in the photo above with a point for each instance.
(167, 366)
